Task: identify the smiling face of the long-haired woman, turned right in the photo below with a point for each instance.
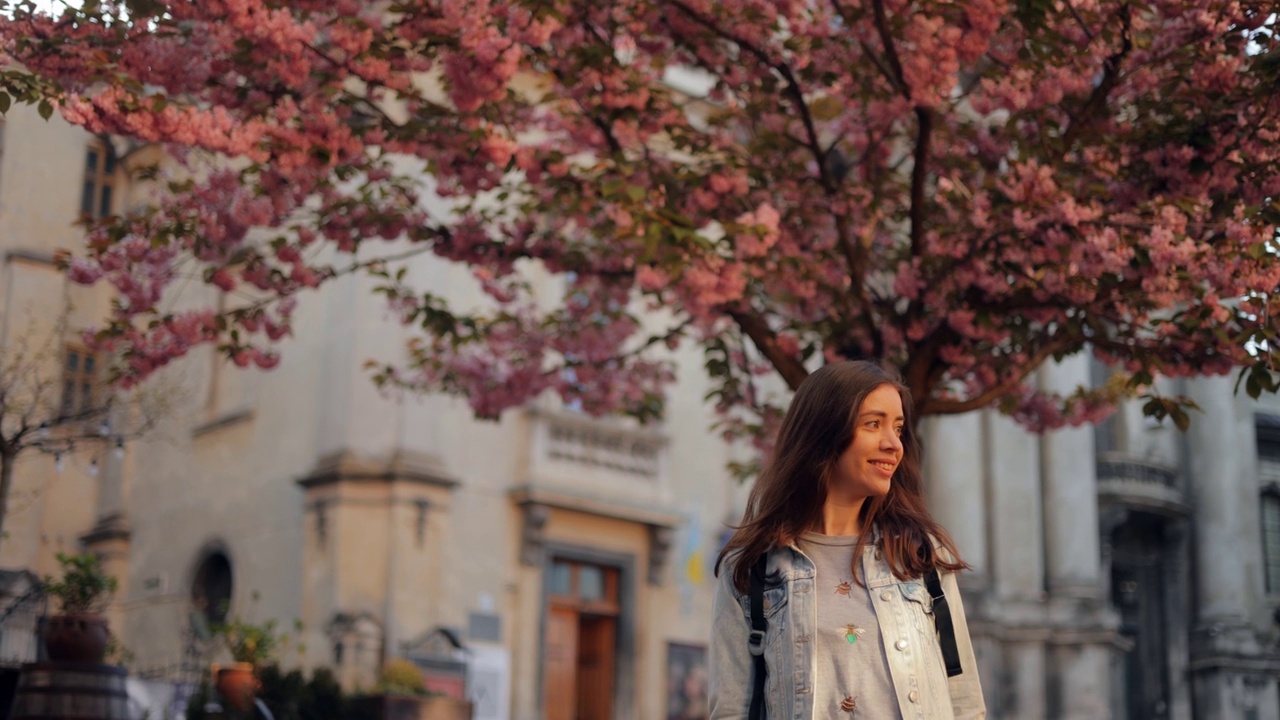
(867, 466)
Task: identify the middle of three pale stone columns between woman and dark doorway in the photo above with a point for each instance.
(1017, 566)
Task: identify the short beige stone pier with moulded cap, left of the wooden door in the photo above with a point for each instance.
(372, 558)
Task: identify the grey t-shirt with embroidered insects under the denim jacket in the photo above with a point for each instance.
(852, 676)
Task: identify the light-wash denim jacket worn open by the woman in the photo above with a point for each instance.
(904, 612)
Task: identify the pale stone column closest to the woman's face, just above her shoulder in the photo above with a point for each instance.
(954, 484)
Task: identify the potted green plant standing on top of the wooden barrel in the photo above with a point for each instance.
(80, 632)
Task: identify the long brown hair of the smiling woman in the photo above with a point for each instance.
(789, 495)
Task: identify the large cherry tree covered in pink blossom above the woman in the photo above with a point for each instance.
(963, 190)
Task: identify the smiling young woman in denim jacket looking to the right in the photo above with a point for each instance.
(840, 518)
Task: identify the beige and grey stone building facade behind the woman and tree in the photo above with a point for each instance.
(1123, 572)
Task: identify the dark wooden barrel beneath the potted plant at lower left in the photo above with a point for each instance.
(71, 691)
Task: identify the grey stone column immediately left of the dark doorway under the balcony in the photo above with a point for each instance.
(1085, 631)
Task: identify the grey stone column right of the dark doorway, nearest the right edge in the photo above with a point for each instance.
(1231, 669)
